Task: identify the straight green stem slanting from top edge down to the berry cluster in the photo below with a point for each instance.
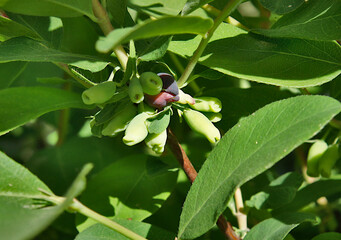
(228, 9)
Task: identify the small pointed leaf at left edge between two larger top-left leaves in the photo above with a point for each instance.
(10, 29)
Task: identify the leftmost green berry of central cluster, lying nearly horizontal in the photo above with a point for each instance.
(99, 93)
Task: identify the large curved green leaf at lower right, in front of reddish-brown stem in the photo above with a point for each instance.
(255, 144)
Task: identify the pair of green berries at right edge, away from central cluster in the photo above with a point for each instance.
(322, 158)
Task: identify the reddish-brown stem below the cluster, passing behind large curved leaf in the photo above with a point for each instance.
(191, 173)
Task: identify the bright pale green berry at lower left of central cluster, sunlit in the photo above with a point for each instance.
(137, 130)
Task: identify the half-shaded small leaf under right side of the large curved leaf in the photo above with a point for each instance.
(280, 191)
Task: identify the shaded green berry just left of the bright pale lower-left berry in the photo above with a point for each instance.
(120, 121)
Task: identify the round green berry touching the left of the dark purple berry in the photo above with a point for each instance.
(151, 83)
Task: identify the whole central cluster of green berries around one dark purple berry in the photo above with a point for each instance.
(149, 99)
